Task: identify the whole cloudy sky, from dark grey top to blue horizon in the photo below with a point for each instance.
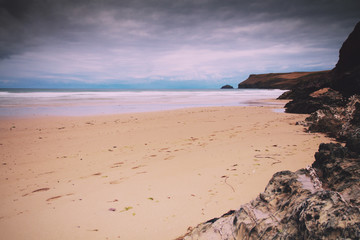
(166, 43)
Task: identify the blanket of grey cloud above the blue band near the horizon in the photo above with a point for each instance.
(149, 32)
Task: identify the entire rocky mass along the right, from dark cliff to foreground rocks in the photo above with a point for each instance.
(322, 200)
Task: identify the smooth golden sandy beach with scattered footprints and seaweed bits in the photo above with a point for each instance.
(140, 176)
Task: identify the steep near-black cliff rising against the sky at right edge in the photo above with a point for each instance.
(347, 70)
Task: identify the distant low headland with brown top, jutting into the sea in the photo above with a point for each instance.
(283, 81)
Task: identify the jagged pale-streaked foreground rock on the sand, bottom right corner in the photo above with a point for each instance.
(310, 203)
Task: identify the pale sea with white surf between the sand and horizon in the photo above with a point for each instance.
(82, 102)
